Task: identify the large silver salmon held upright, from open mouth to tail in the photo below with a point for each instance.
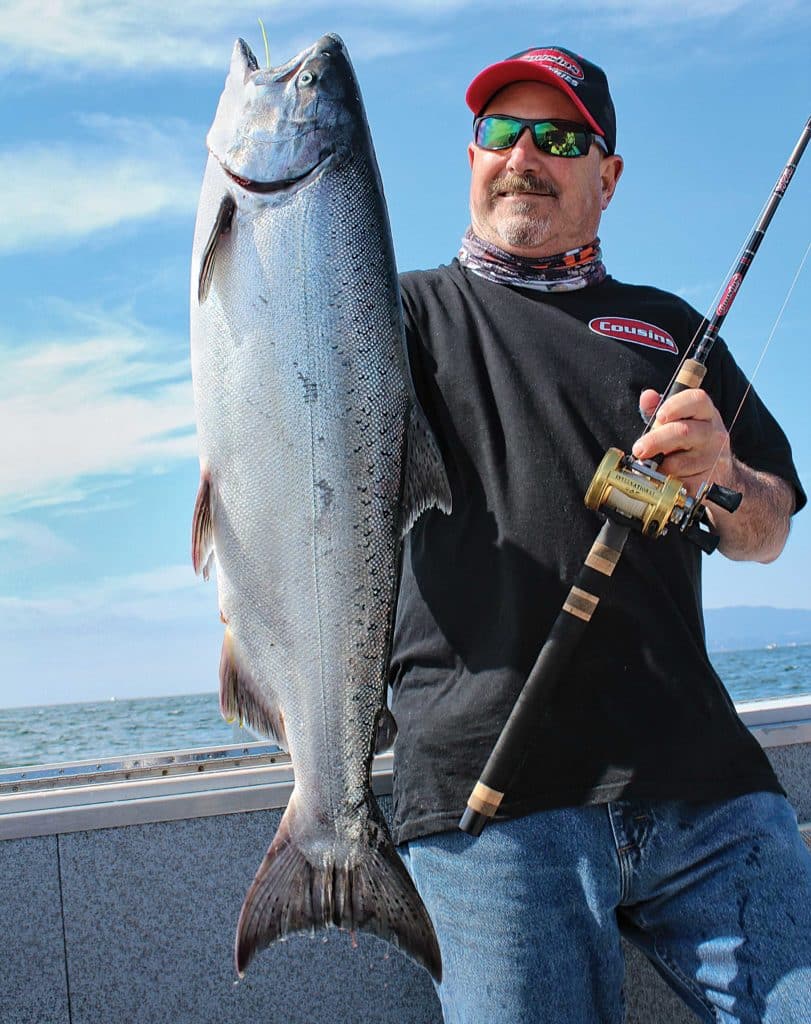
(316, 460)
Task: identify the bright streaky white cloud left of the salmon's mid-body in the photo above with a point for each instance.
(87, 407)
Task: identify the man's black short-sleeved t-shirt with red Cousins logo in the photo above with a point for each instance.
(526, 392)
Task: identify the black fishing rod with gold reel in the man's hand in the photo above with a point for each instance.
(633, 496)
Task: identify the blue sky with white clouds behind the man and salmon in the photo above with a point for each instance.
(105, 110)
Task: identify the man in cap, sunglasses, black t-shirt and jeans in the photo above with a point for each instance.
(644, 805)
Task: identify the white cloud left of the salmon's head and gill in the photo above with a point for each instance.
(124, 170)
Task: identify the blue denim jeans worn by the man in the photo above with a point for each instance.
(530, 916)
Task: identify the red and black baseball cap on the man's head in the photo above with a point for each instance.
(583, 82)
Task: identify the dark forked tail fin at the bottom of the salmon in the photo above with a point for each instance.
(371, 892)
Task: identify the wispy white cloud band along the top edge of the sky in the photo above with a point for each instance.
(59, 39)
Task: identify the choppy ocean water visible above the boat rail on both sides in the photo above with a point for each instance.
(79, 732)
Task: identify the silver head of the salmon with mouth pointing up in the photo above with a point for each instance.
(278, 129)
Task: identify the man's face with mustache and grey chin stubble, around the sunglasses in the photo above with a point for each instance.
(528, 202)
